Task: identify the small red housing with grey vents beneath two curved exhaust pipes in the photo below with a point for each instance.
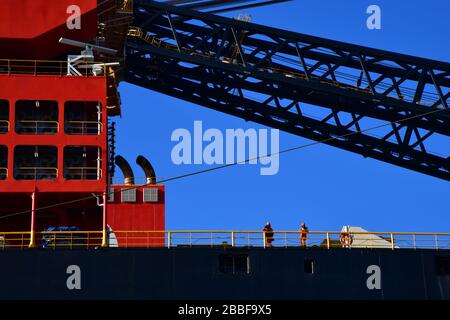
(138, 216)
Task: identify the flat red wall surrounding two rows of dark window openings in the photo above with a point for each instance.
(60, 89)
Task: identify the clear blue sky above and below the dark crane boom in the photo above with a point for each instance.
(321, 185)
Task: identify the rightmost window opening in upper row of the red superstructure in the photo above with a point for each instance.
(82, 117)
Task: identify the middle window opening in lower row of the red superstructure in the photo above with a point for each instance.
(35, 163)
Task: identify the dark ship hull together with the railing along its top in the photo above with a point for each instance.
(214, 264)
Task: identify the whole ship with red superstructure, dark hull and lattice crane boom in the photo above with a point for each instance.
(60, 65)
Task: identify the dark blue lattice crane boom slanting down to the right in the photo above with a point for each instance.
(266, 75)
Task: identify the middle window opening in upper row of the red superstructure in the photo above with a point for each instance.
(36, 117)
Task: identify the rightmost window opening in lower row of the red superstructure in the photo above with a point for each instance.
(82, 163)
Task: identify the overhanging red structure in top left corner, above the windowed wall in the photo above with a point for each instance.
(30, 29)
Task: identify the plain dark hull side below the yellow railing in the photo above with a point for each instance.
(194, 273)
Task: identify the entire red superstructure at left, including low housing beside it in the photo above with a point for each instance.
(54, 145)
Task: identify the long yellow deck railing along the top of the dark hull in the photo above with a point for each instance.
(232, 238)
